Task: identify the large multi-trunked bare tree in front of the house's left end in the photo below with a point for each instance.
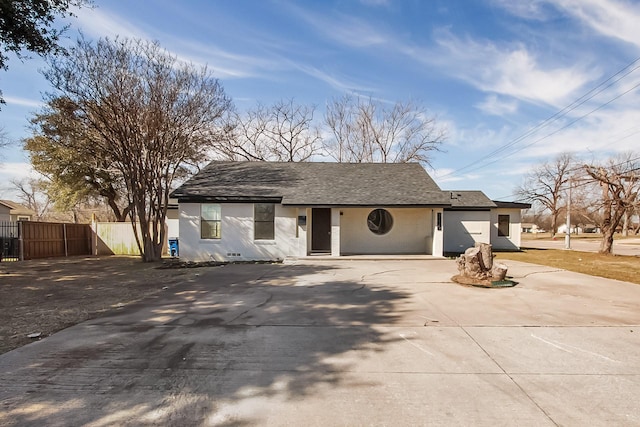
(151, 114)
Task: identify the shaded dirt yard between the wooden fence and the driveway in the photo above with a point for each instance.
(45, 296)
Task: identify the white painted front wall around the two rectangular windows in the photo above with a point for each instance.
(237, 242)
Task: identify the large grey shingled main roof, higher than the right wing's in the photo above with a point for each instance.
(314, 184)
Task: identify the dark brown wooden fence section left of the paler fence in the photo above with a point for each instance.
(47, 240)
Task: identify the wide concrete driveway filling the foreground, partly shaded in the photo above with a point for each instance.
(356, 342)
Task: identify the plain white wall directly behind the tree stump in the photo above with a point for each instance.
(463, 229)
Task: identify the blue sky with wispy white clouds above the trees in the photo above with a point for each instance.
(490, 71)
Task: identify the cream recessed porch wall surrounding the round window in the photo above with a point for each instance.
(411, 232)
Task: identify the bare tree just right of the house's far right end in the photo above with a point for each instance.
(546, 185)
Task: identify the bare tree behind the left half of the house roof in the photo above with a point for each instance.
(281, 132)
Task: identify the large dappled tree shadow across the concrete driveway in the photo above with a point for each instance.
(237, 334)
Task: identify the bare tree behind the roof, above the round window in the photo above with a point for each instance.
(368, 131)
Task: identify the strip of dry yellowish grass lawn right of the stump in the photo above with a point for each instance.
(626, 268)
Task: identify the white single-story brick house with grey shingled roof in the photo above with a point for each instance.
(272, 210)
